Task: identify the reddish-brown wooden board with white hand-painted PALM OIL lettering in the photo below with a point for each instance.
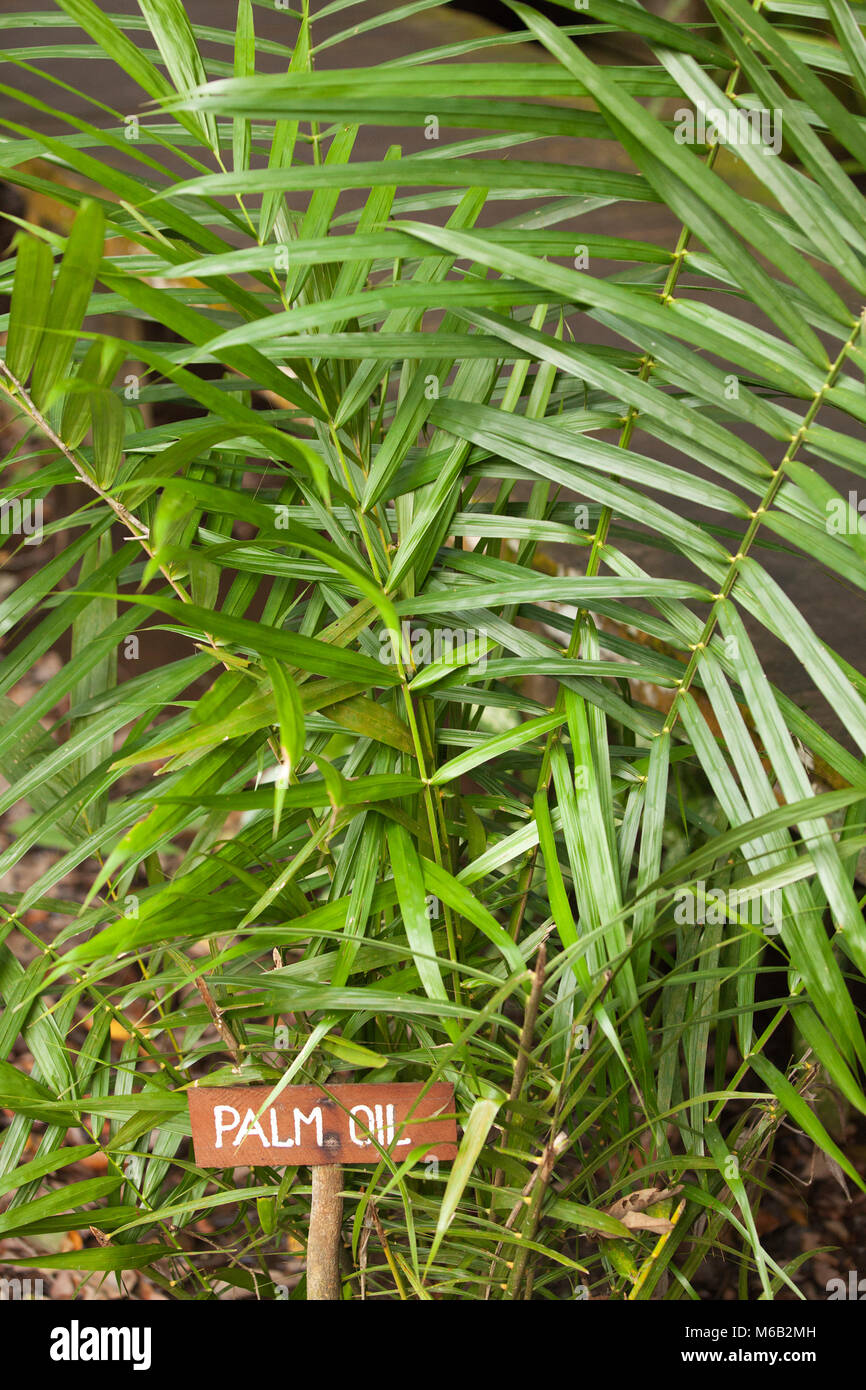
(311, 1125)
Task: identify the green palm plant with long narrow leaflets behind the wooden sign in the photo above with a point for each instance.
(462, 762)
